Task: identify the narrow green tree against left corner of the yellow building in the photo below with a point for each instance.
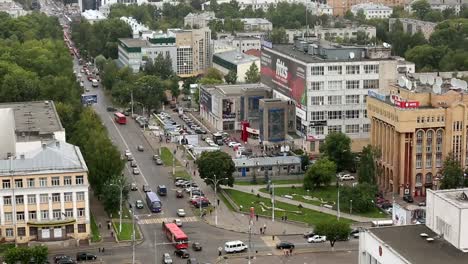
(367, 170)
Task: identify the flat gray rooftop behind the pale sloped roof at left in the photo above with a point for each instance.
(34, 120)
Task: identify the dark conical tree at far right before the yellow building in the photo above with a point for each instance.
(452, 173)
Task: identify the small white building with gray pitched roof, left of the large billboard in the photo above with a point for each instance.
(235, 61)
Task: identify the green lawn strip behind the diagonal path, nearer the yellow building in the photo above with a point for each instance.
(327, 195)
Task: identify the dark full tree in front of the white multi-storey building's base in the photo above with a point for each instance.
(337, 147)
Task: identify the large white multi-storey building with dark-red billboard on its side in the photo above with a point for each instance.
(329, 85)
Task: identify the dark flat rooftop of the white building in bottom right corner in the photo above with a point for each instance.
(408, 243)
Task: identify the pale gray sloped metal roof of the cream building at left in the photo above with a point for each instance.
(54, 157)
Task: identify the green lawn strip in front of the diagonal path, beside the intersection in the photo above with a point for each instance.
(293, 212)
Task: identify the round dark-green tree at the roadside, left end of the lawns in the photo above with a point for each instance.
(211, 163)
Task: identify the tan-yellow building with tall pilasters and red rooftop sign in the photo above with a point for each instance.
(416, 124)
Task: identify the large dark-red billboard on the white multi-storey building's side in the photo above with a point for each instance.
(284, 75)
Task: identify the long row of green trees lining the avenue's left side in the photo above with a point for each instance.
(36, 65)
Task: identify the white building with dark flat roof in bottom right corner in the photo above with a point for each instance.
(443, 239)
